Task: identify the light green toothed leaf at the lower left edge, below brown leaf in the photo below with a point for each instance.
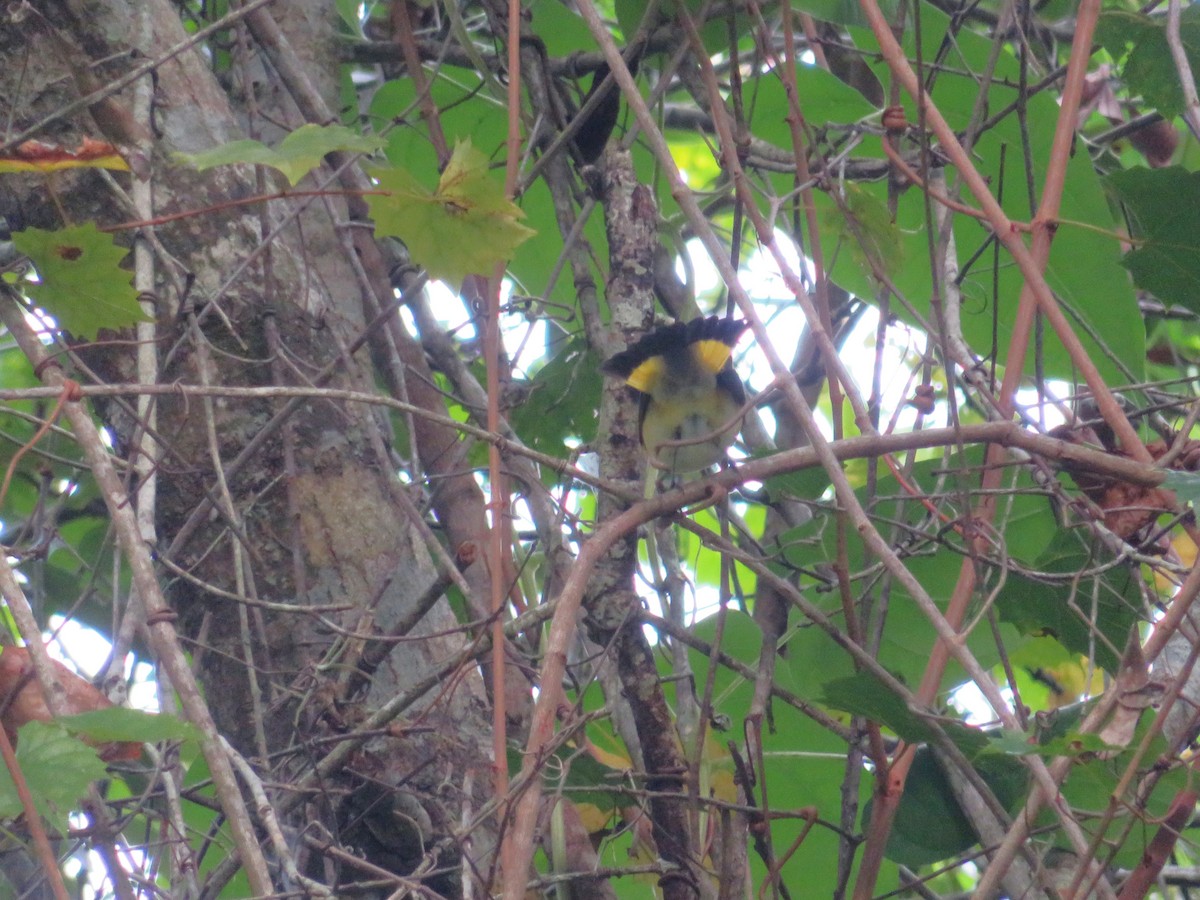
(57, 767)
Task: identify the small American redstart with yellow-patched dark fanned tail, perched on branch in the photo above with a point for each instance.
(687, 391)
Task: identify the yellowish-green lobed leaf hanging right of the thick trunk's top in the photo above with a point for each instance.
(466, 227)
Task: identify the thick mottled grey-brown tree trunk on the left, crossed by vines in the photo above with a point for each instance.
(286, 542)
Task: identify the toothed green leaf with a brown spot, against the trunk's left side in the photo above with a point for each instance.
(82, 284)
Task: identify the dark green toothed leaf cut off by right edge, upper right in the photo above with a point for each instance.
(1163, 207)
